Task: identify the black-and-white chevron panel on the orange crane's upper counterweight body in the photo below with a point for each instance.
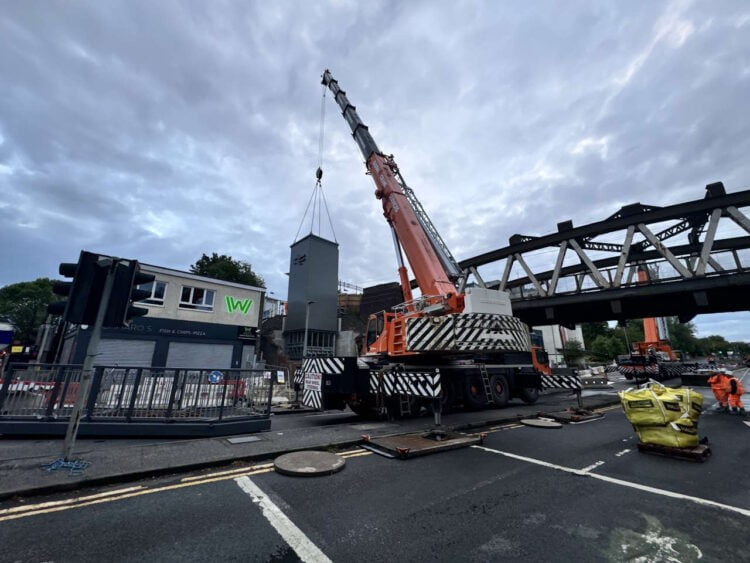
(469, 332)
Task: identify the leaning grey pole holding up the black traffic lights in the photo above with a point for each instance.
(88, 365)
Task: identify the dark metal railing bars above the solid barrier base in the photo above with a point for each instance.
(48, 392)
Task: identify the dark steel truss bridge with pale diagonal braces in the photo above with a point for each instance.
(642, 261)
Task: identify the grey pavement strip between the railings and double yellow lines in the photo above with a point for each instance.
(118, 460)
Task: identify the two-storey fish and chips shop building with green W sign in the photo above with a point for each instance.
(193, 321)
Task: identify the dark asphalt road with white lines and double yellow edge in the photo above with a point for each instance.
(580, 493)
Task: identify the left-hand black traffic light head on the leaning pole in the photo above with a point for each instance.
(84, 293)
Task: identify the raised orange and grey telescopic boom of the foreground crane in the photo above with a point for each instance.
(433, 266)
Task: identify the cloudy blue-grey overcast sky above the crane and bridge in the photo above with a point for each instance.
(163, 130)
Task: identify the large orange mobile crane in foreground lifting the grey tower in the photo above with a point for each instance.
(454, 343)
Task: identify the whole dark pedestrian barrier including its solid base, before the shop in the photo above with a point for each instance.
(37, 398)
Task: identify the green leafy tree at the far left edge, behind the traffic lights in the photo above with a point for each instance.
(24, 304)
